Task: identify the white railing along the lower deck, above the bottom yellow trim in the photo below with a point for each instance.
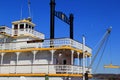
(38, 68)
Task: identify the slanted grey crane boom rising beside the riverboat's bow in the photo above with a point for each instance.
(102, 42)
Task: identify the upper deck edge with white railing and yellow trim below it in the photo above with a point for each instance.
(42, 44)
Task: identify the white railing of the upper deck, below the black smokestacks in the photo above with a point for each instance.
(45, 44)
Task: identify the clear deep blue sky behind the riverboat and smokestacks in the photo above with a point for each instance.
(91, 18)
